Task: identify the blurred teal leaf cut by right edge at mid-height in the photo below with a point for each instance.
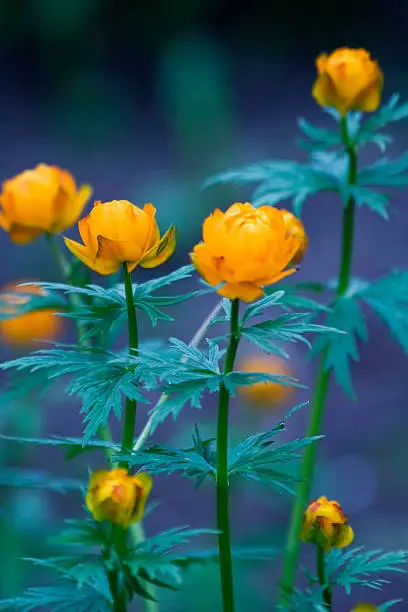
(388, 297)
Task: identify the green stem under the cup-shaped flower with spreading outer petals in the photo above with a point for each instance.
(130, 405)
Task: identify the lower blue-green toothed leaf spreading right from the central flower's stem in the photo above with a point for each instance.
(258, 458)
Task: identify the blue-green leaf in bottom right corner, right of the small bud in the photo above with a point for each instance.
(365, 568)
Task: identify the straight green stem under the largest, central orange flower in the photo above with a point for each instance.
(224, 541)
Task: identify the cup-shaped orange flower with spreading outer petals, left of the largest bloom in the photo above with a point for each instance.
(118, 232)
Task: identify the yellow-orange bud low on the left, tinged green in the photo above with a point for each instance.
(117, 497)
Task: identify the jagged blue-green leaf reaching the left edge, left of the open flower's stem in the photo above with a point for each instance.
(100, 379)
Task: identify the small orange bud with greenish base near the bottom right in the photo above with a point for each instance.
(325, 523)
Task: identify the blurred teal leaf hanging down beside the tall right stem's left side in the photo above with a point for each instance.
(339, 349)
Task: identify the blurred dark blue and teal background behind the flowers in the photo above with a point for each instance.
(144, 100)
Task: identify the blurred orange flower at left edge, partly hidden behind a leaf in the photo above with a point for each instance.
(26, 329)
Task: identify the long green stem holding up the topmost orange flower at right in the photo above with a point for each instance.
(322, 383)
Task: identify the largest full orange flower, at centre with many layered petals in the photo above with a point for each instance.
(246, 248)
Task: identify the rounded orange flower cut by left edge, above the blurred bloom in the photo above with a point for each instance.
(45, 199)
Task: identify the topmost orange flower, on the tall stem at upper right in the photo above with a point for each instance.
(348, 79)
